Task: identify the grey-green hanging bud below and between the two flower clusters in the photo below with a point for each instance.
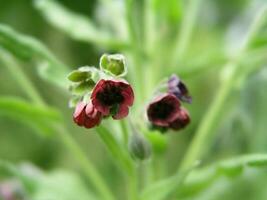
(139, 147)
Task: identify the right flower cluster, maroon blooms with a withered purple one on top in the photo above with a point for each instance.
(165, 110)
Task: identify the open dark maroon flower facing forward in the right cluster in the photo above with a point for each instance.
(163, 110)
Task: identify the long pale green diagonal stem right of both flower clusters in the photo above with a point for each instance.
(212, 117)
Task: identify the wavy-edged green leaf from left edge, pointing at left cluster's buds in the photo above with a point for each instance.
(28, 48)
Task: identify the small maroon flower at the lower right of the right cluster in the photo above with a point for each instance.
(181, 121)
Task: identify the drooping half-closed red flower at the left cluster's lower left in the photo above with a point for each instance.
(86, 115)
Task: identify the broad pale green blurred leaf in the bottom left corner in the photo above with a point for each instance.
(55, 185)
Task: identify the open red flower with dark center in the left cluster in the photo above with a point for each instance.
(113, 97)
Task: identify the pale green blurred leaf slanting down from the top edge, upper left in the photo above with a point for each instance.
(74, 25)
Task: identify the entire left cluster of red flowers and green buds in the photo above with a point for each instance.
(100, 93)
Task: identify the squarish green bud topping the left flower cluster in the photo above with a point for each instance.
(113, 64)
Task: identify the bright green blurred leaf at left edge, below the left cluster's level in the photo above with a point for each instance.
(38, 117)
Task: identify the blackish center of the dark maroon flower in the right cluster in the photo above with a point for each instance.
(162, 110)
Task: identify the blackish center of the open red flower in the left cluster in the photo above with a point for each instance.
(110, 95)
